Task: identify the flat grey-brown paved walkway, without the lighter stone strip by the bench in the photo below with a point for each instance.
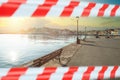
(97, 52)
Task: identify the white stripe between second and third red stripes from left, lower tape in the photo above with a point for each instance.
(59, 70)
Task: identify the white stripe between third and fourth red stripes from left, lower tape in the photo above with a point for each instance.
(80, 71)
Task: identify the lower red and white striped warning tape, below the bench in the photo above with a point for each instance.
(61, 73)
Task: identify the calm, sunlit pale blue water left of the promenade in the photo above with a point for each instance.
(16, 49)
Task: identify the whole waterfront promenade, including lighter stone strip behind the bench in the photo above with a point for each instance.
(92, 52)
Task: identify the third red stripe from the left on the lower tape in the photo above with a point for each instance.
(68, 75)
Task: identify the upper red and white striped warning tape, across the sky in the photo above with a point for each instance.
(58, 8)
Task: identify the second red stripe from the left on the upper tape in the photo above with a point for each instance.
(42, 10)
